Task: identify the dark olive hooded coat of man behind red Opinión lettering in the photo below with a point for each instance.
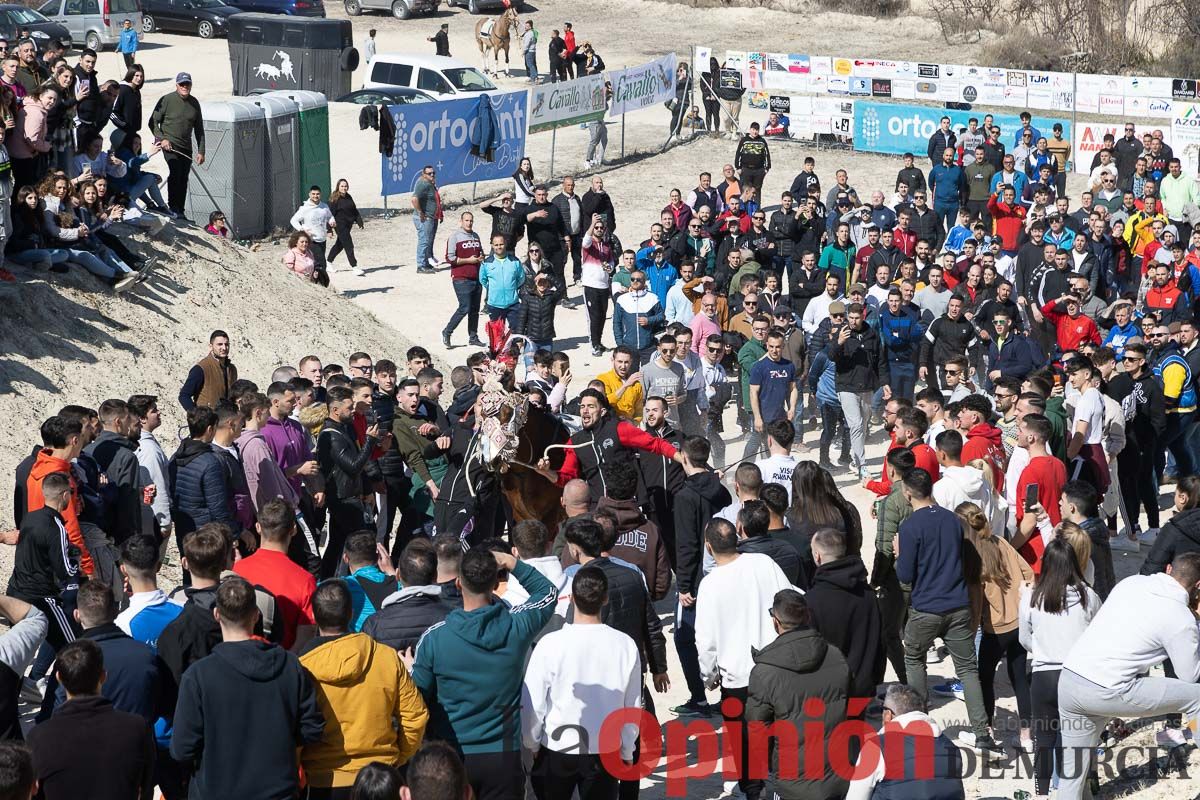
(795, 669)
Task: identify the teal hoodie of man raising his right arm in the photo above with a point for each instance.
(471, 666)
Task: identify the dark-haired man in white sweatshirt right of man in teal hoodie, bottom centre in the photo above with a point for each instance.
(577, 678)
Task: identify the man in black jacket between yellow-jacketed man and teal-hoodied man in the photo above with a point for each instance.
(409, 613)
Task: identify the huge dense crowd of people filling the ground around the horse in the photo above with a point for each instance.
(369, 598)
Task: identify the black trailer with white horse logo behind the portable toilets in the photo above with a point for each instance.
(271, 52)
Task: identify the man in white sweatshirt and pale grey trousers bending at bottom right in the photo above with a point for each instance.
(1145, 621)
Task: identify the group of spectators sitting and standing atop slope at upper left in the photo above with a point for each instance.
(73, 179)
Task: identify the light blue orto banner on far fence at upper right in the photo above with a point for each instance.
(890, 128)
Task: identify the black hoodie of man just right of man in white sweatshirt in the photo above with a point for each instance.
(845, 612)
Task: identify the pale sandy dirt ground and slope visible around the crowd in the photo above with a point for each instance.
(415, 308)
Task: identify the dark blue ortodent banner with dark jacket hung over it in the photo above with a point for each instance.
(441, 135)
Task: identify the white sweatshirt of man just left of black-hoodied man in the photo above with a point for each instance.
(731, 616)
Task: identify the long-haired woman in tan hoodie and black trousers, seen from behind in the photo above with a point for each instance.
(994, 573)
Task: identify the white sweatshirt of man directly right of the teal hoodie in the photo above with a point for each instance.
(575, 679)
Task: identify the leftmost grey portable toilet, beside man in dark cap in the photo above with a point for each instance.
(233, 177)
